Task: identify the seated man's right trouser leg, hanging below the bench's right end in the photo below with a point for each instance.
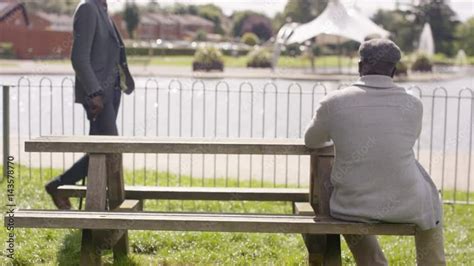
(430, 247)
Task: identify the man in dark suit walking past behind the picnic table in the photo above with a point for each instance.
(99, 61)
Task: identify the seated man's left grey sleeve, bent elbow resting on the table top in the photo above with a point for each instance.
(317, 133)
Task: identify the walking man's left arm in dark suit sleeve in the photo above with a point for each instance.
(85, 21)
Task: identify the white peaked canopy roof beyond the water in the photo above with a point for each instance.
(339, 21)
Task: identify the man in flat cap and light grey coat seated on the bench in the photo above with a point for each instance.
(374, 124)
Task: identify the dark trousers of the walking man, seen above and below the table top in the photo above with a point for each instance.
(105, 124)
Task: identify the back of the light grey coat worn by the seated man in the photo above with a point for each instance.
(374, 125)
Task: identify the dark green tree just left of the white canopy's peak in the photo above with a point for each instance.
(303, 11)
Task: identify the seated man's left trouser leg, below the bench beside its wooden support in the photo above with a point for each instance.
(366, 250)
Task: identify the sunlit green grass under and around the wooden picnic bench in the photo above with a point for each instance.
(52, 247)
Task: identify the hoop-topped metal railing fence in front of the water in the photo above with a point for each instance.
(219, 109)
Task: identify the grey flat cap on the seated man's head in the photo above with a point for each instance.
(379, 50)
